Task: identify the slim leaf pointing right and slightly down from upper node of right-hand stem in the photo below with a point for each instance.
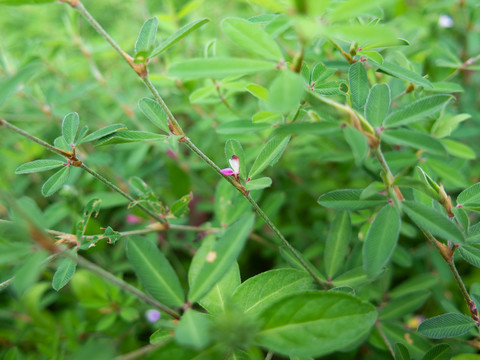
(415, 139)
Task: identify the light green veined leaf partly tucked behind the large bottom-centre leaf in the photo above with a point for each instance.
(260, 291)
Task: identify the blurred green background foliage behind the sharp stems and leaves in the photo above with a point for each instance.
(80, 72)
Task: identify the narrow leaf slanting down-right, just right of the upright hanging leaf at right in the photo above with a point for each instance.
(433, 221)
